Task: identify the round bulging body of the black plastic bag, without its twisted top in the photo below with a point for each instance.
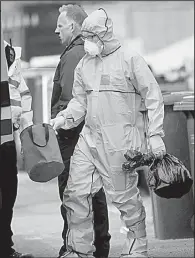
(169, 178)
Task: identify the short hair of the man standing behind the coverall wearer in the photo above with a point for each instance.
(74, 12)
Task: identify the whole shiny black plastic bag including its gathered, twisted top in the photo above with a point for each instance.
(168, 178)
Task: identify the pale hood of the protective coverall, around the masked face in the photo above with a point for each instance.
(98, 23)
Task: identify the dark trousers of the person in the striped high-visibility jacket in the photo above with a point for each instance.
(8, 188)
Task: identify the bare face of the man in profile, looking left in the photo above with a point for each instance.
(64, 29)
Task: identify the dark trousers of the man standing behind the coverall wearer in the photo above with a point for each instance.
(101, 222)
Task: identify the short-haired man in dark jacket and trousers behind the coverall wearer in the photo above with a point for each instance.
(68, 28)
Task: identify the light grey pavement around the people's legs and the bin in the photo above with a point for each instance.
(37, 224)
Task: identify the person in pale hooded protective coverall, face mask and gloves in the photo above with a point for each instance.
(109, 86)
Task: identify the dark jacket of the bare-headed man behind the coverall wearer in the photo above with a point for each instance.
(63, 82)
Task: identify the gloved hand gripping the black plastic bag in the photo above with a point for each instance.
(157, 146)
